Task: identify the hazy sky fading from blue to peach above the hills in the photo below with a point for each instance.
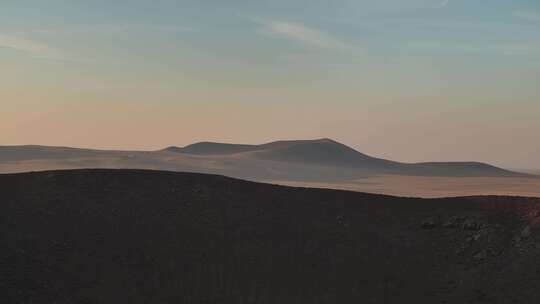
(414, 80)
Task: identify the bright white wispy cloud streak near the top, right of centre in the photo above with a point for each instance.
(307, 36)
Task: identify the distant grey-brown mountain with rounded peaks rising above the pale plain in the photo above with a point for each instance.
(327, 152)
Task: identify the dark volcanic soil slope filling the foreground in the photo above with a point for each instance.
(119, 236)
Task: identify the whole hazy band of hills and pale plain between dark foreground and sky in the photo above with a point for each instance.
(315, 163)
